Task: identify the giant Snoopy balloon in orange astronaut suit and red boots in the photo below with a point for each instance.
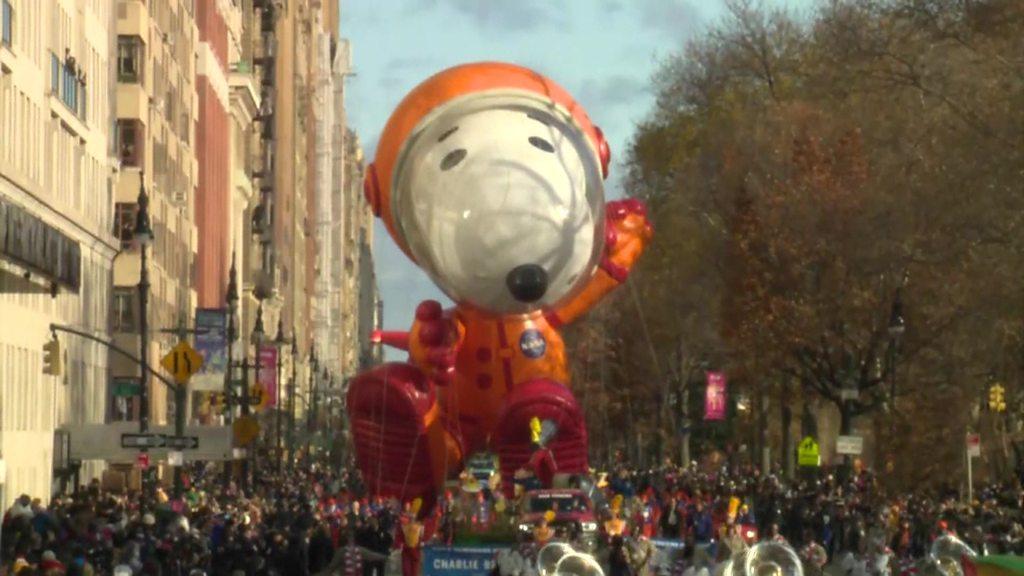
(491, 179)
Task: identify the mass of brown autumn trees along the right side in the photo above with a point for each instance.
(801, 174)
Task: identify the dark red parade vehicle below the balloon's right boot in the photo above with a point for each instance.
(574, 519)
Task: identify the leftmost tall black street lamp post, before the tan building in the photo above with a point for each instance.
(144, 237)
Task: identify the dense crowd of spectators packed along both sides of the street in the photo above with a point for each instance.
(320, 521)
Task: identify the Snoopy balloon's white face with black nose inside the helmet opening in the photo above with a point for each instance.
(500, 199)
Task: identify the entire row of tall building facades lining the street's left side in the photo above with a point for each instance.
(230, 115)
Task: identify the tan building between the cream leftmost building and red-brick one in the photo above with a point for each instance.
(156, 135)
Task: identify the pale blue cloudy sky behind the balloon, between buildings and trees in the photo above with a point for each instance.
(605, 53)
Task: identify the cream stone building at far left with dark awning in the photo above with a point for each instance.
(57, 241)
